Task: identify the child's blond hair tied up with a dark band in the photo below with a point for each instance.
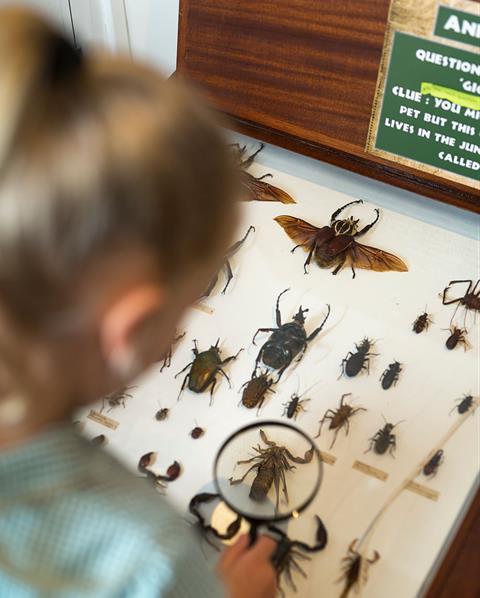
(95, 152)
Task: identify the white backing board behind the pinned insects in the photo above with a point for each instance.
(380, 306)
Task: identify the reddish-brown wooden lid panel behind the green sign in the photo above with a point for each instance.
(301, 74)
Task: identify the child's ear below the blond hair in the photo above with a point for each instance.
(121, 320)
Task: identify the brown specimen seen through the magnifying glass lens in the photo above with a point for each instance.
(270, 465)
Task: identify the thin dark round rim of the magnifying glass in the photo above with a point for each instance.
(289, 514)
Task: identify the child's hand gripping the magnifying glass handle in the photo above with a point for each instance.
(248, 571)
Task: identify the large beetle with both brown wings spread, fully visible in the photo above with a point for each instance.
(336, 245)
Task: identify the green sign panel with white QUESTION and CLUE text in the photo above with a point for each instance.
(431, 105)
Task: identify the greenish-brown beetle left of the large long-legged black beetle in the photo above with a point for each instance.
(204, 369)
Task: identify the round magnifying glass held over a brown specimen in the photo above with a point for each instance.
(267, 472)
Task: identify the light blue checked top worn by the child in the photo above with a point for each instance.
(75, 523)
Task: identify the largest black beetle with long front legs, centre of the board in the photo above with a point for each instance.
(286, 341)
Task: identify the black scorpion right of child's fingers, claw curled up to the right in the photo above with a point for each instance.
(289, 552)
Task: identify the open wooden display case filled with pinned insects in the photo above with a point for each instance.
(344, 295)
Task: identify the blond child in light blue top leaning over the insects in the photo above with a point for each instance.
(117, 202)
